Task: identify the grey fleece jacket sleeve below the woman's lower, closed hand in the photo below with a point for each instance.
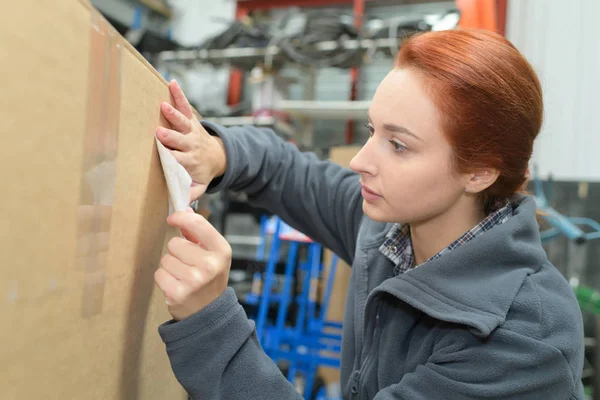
(215, 355)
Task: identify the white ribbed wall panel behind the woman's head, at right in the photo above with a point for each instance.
(560, 39)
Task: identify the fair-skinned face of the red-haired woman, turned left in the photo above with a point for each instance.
(405, 166)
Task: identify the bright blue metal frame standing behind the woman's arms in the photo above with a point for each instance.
(301, 345)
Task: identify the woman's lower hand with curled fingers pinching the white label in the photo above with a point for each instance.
(195, 272)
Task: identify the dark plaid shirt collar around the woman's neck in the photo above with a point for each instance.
(397, 245)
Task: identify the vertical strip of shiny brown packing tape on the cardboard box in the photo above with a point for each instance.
(99, 162)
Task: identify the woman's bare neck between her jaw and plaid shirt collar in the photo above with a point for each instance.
(435, 234)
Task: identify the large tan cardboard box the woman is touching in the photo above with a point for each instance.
(84, 203)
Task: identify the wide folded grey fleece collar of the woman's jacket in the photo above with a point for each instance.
(476, 283)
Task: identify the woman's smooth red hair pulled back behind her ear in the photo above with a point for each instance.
(490, 100)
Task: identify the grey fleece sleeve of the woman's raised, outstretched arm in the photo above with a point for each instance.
(319, 198)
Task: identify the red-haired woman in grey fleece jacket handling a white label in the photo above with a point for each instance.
(451, 295)
